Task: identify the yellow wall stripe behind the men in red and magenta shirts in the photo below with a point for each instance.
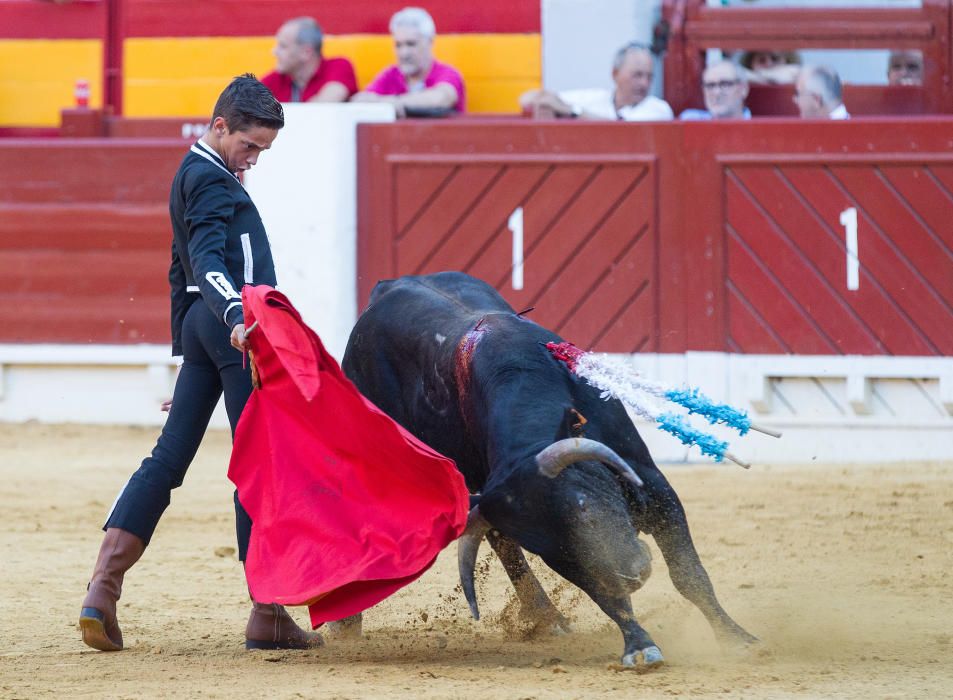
(183, 77)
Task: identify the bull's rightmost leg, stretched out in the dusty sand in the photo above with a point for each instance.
(672, 535)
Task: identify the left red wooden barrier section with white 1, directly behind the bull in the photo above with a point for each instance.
(586, 209)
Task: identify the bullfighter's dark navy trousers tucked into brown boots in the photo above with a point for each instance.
(210, 367)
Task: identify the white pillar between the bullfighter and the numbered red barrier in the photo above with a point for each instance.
(305, 187)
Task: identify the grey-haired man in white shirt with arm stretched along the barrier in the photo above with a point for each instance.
(632, 71)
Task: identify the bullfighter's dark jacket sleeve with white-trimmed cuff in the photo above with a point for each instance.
(209, 207)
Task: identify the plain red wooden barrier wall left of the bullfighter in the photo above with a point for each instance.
(84, 240)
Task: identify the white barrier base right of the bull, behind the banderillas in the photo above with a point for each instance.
(829, 408)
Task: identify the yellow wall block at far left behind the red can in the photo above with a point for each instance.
(40, 76)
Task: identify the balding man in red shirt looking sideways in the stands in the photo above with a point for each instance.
(301, 73)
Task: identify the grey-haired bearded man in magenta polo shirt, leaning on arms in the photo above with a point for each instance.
(418, 84)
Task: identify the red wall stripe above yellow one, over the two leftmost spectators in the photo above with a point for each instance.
(175, 18)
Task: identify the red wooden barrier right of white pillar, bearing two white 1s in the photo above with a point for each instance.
(680, 236)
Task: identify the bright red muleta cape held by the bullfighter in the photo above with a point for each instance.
(347, 506)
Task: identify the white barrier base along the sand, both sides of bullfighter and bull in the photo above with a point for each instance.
(830, 409)
